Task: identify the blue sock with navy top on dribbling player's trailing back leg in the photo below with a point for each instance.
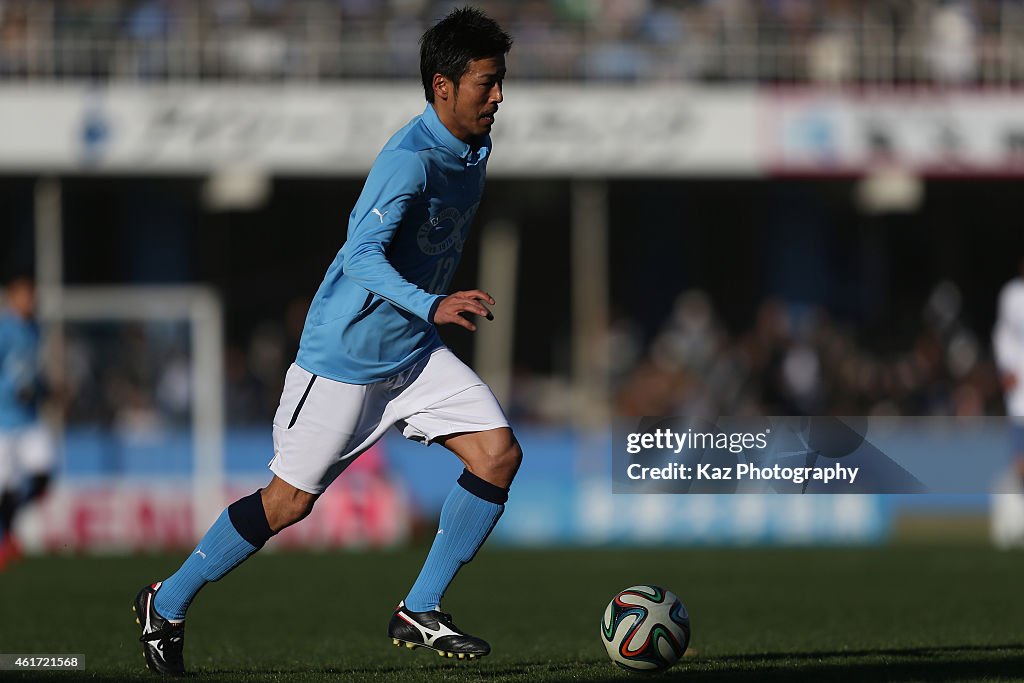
(239, 532)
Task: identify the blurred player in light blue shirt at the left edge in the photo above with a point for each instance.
(26, 449)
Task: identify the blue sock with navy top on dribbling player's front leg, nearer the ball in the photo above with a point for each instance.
(470, 514)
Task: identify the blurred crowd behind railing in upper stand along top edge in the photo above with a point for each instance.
(949, 41)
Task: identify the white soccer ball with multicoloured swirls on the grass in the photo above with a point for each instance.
(646, 628)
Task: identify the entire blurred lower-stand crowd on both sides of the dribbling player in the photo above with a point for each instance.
(137, 379)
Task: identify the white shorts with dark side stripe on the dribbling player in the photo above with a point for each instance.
(323, 425)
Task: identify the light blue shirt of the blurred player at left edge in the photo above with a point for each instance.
(20, 377)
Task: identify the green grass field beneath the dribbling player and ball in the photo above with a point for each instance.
(900, 614)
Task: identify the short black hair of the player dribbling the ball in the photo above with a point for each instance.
(448, 49)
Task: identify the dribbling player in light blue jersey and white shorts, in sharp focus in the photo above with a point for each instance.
(370, 357)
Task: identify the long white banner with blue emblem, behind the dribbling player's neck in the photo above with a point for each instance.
(339, 130)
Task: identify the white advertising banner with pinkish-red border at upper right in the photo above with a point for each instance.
(933, 133)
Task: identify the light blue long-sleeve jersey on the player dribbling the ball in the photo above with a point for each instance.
(372, 316)
